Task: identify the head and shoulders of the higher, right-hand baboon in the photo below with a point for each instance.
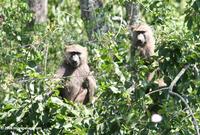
(143, 39)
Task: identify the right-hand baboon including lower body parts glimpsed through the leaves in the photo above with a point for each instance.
(144, 41)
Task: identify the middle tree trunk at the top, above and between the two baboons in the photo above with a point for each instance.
(93, 22)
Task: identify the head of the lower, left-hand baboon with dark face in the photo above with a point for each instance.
(75, 55)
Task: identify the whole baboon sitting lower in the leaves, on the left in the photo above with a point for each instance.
(79, 83)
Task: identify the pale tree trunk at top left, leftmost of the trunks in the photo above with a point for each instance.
(40, 9)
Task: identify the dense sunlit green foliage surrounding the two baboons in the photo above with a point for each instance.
(29, 56)
